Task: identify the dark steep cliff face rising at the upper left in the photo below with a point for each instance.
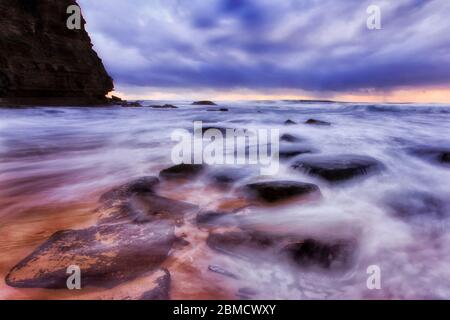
(42, 61)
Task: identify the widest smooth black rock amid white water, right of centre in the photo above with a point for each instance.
(338, 168)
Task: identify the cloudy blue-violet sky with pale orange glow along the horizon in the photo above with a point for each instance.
(264, 49)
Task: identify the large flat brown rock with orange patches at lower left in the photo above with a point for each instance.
(107, 255)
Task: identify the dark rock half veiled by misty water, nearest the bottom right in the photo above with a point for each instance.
(336, 255)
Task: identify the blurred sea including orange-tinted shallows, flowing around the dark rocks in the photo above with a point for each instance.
(56, 162)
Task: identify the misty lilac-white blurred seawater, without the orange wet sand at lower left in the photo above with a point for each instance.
(58, 155)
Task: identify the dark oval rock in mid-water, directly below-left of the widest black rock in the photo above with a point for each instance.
(275, 191)
